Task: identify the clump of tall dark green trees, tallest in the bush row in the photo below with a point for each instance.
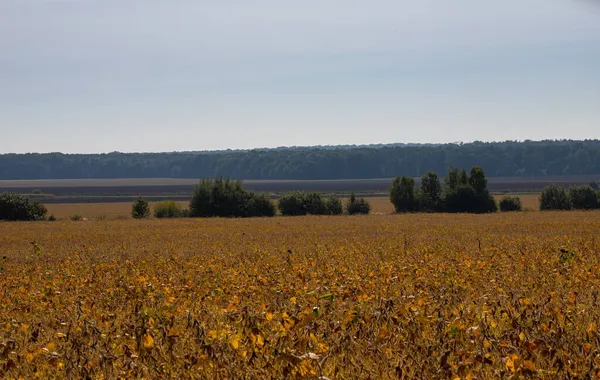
(460, 193)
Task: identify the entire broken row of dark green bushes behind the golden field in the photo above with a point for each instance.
(461, 192)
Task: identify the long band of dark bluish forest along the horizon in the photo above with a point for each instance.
(500, 159)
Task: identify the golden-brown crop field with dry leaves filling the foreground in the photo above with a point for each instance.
(379, 296)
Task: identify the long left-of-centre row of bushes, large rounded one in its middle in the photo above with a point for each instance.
(227, 198)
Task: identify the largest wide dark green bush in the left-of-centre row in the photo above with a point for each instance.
(226, 198)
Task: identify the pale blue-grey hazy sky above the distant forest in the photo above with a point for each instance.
(92, 76)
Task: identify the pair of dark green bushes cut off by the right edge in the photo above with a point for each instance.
(576, 197)
